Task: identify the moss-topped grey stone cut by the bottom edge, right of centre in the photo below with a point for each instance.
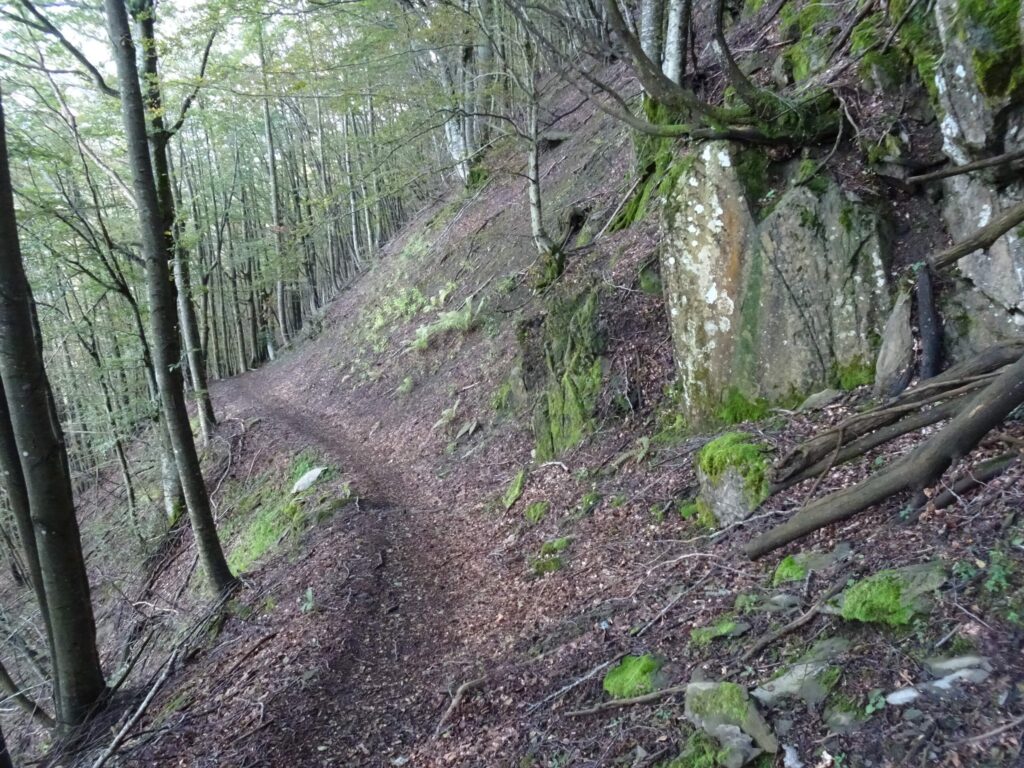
(726, 712)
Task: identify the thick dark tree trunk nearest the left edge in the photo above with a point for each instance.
(44, 461)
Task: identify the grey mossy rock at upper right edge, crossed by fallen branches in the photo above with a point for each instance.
(979, 82)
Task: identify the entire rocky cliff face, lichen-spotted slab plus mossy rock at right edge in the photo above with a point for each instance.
(779, 290)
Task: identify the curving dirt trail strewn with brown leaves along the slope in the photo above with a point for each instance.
(367, 671)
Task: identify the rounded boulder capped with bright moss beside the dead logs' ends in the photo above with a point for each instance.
(734, 475)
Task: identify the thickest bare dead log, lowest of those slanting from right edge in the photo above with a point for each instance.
(919, 470)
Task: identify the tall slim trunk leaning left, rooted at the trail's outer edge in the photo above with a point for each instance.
(158, 249)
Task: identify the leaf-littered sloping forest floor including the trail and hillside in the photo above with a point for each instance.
(407, 615)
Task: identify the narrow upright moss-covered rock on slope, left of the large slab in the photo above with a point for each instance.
(572, 347)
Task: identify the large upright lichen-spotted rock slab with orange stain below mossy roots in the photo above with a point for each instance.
(775, 309)
